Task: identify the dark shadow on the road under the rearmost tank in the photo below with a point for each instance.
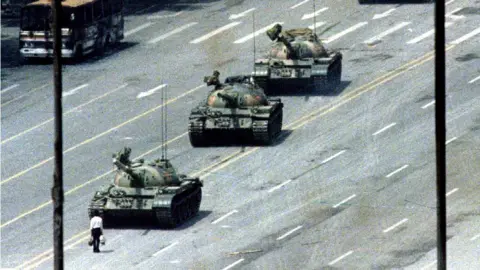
(309, 90)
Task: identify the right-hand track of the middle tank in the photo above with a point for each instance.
(264, 131)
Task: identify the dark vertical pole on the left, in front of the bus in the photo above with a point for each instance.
(57, 190)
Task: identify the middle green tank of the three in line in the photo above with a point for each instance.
(237, 109)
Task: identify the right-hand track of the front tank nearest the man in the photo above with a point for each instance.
(182, 209)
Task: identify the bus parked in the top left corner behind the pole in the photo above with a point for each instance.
(86, 26)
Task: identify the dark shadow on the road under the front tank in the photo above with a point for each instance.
(148, 223)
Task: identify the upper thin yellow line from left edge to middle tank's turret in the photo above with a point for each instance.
(102, 134)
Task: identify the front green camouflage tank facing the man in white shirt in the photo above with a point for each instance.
(151, 190)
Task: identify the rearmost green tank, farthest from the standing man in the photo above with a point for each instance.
(297, 58)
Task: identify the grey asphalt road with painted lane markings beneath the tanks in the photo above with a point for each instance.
(350, 184)
